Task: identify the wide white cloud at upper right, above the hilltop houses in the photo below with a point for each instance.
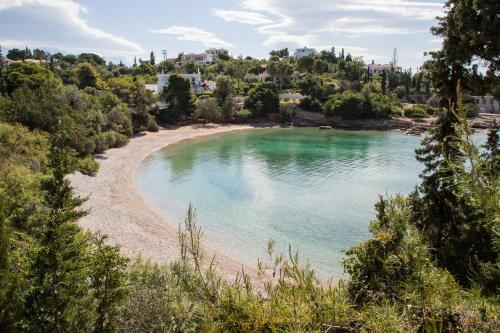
(299, 21)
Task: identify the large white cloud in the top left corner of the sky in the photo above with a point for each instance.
(61, 21)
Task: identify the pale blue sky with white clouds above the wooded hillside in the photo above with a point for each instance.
(122, 30)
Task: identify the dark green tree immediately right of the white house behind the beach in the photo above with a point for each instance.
(179, 97)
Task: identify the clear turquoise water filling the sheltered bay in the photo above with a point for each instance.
(314, 190)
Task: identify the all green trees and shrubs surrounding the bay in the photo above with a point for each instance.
(432, 264)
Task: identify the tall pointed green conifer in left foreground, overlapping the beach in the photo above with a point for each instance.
(59, 300)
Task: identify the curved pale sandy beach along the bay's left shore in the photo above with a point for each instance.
(117, 209)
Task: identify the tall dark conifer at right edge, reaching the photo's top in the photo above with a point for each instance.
(448, 219)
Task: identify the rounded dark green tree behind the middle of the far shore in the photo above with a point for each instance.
(263, 99)
